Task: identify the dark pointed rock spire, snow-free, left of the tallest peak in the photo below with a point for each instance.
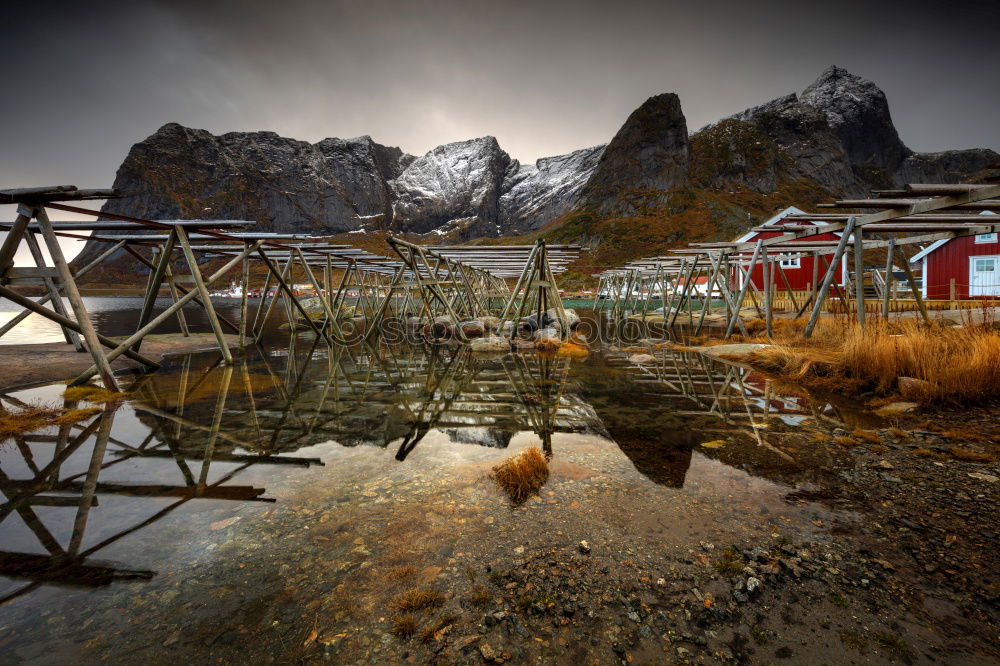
(648, 157)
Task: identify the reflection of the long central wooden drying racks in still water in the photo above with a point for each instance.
(376, 394)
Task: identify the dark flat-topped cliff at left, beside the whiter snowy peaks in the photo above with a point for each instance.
(282, 183)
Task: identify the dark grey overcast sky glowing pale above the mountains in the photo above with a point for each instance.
(86, 80)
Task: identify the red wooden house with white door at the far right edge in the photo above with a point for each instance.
(961, 268)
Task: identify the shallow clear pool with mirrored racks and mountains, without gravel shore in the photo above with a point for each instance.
(222, 509)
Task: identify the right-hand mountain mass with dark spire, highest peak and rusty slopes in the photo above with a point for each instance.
(657, 188)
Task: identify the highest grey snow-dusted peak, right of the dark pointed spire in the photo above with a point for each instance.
(838, 133)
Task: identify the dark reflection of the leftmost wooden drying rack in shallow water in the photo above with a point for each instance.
(71, 565)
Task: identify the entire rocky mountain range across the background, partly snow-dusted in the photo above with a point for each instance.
(654, 186)
